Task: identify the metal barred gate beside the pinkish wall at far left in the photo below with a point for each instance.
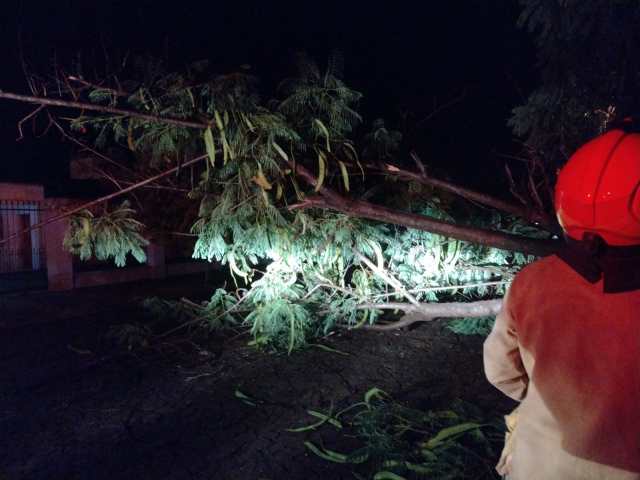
(22, 259)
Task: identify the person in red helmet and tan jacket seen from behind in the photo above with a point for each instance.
(566, 343)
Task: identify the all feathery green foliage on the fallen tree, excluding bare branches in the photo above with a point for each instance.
(297, 273)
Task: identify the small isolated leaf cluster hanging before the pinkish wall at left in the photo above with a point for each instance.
(113, 234)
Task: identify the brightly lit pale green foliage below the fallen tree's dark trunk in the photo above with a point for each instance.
(314, 282)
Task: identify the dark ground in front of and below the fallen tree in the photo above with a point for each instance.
(74, 407)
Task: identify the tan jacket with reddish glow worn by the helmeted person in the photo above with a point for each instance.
(571, 354)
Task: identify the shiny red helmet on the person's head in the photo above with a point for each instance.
(598, 189)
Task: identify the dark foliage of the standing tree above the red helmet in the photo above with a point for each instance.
(588, 61)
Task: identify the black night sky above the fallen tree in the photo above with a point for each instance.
(399, 54)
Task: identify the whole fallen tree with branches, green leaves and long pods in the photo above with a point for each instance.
(288, 196)
